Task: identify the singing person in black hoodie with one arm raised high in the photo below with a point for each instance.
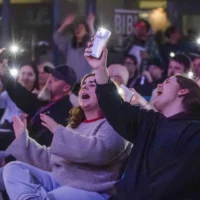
(164, 161)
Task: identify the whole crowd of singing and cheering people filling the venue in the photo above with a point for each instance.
(66, 132)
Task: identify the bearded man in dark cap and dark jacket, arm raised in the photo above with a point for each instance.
(60, 83)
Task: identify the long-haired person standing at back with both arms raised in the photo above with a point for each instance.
(73, 48)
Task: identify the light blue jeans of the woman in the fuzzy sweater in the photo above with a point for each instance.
(25, 182)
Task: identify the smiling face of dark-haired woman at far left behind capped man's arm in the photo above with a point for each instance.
(27, 77)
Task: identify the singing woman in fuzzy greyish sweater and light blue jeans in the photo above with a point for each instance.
(84, 161)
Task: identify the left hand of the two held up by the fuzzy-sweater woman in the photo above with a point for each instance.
(19, 126)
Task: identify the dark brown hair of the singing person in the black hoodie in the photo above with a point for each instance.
(191, 100)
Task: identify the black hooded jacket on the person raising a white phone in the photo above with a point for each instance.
(165, 160)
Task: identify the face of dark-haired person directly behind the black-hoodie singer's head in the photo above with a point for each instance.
(175, 68)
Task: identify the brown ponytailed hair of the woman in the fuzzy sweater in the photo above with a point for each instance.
(76, 115)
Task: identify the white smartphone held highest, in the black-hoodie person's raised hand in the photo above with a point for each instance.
(100, 40)
